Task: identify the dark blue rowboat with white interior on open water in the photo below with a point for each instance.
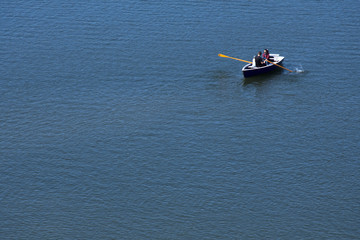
(250, 70)
